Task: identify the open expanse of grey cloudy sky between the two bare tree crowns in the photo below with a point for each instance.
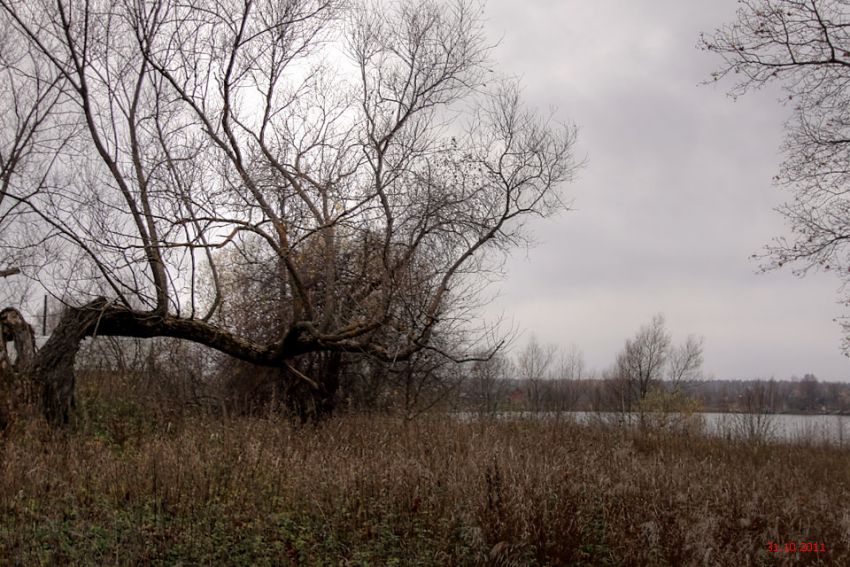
(675, 197)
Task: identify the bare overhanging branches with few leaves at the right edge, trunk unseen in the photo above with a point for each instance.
(805, 47)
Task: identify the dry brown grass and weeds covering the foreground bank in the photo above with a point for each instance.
(122, 488)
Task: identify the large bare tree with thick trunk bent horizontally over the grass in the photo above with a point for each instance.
(367, 149)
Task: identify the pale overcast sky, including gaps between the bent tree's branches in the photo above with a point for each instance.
(676, 197)
